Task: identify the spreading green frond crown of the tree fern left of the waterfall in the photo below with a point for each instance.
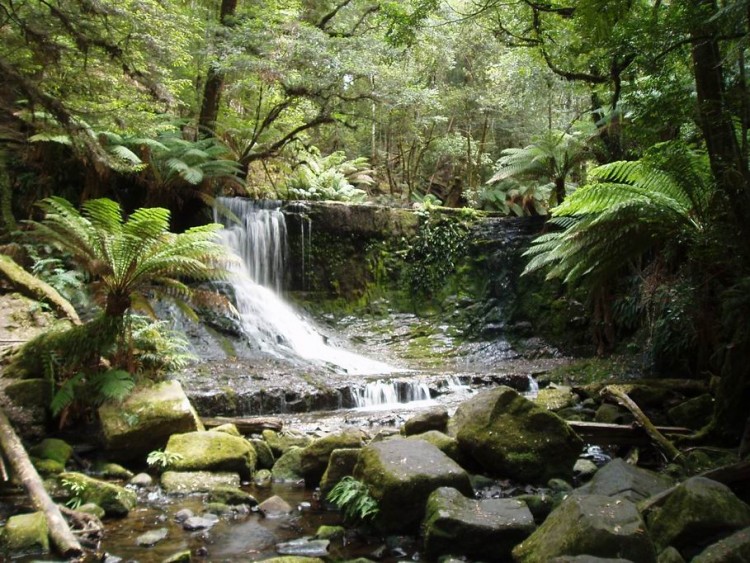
(125, 259)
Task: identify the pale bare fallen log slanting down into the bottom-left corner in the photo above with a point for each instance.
(62, 538)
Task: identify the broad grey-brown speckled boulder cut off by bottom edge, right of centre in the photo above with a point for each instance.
(594, 525)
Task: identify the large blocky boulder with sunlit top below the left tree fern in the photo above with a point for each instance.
(146, 419)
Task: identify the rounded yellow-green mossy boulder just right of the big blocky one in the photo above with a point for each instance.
(212, 451)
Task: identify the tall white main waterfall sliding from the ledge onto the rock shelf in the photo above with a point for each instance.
(259, 240)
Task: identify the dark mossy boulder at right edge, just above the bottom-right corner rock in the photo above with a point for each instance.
(697, 513)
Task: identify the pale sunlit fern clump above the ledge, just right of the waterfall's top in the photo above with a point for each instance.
(331, 178)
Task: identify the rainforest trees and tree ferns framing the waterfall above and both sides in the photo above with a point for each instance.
(626, 122)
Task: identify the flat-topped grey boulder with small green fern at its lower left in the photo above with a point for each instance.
(401, 474)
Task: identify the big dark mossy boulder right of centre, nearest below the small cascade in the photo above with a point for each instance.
(510, 436)
